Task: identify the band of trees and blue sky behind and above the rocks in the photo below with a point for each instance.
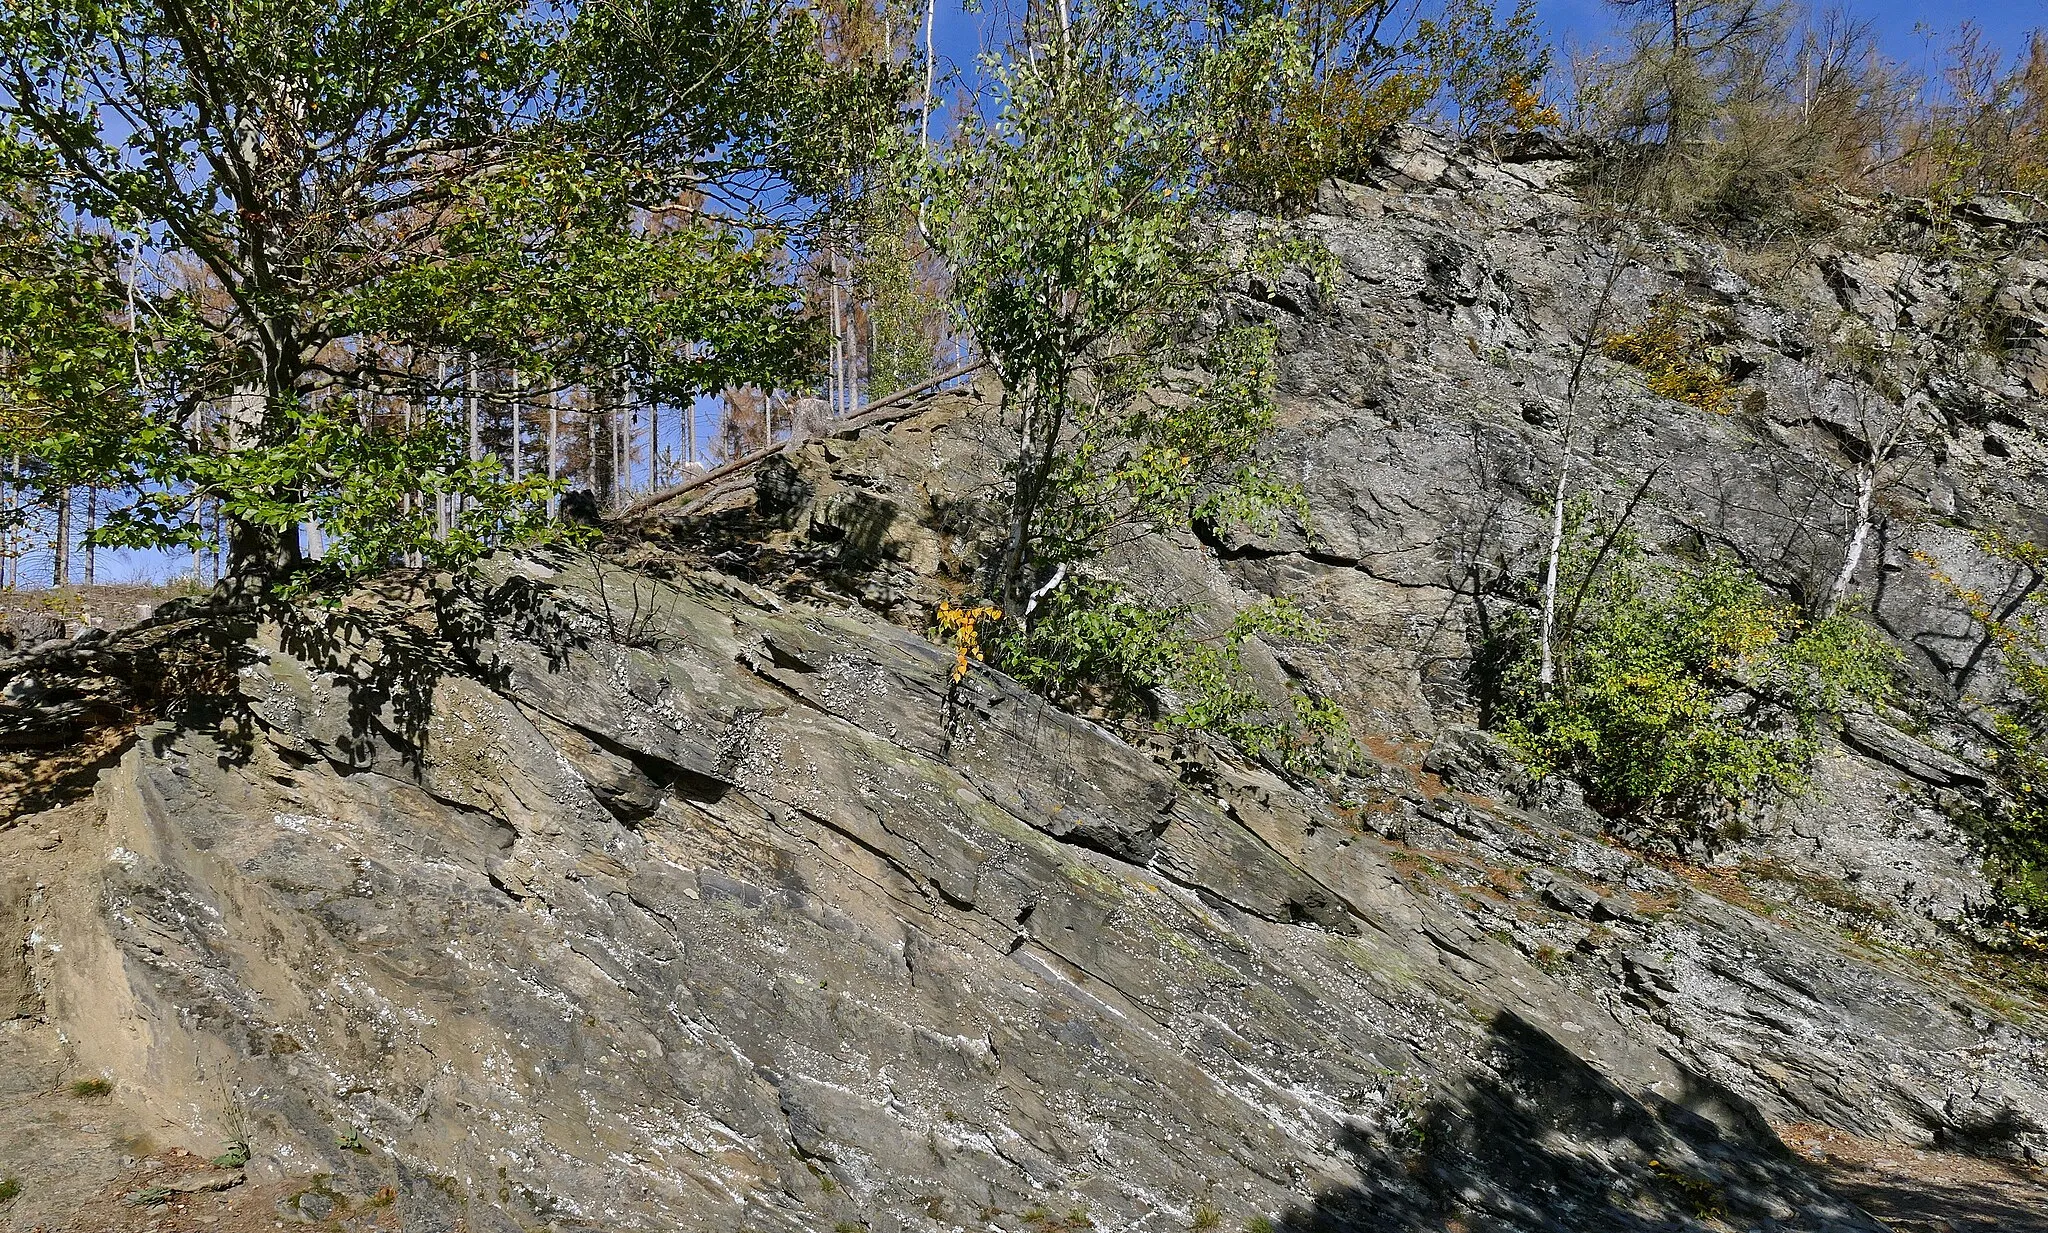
(380, 284)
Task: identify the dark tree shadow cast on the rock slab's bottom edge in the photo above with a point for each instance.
(1537, 1140)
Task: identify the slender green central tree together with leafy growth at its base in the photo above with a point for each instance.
(1089, 259)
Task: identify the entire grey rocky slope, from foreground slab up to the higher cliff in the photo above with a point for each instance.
(681, 888)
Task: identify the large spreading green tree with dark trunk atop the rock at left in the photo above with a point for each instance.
(304, 200)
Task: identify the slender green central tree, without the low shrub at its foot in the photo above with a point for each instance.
(1070, 222)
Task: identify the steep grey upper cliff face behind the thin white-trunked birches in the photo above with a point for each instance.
(1431, 417)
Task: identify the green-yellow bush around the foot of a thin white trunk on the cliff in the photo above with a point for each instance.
(1682, 691)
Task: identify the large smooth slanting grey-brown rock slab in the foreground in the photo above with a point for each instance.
(759, 921)
